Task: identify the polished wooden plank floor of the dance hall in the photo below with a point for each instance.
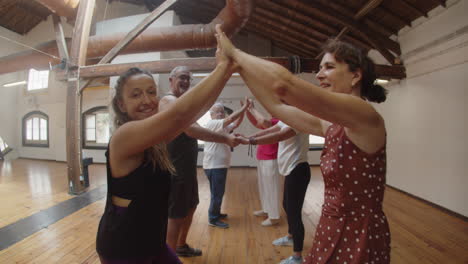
(420, 233)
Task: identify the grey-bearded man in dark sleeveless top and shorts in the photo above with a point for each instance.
(183, 151)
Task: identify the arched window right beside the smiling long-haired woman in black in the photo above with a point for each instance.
(96, 128)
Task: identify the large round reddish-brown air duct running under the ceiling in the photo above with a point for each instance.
(182, 37)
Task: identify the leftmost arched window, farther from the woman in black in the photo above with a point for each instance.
(36, 130)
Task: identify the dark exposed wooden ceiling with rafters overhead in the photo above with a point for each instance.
(297, 26)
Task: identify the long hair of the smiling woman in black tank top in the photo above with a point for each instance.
(158, 154)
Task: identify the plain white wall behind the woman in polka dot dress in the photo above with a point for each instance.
(426, 113)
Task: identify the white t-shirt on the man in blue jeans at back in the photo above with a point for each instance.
(216, 155)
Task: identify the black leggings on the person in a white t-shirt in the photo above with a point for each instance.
(295, 187)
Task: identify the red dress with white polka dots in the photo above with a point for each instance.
(352, 228)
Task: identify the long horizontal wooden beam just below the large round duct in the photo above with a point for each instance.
(208, 64)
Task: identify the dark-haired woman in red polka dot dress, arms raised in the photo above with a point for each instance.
(352, 228)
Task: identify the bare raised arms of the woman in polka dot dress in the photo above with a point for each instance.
(272, 85)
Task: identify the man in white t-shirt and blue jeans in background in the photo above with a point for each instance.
(217, 158)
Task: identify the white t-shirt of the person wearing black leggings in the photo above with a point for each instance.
(292, 151)
